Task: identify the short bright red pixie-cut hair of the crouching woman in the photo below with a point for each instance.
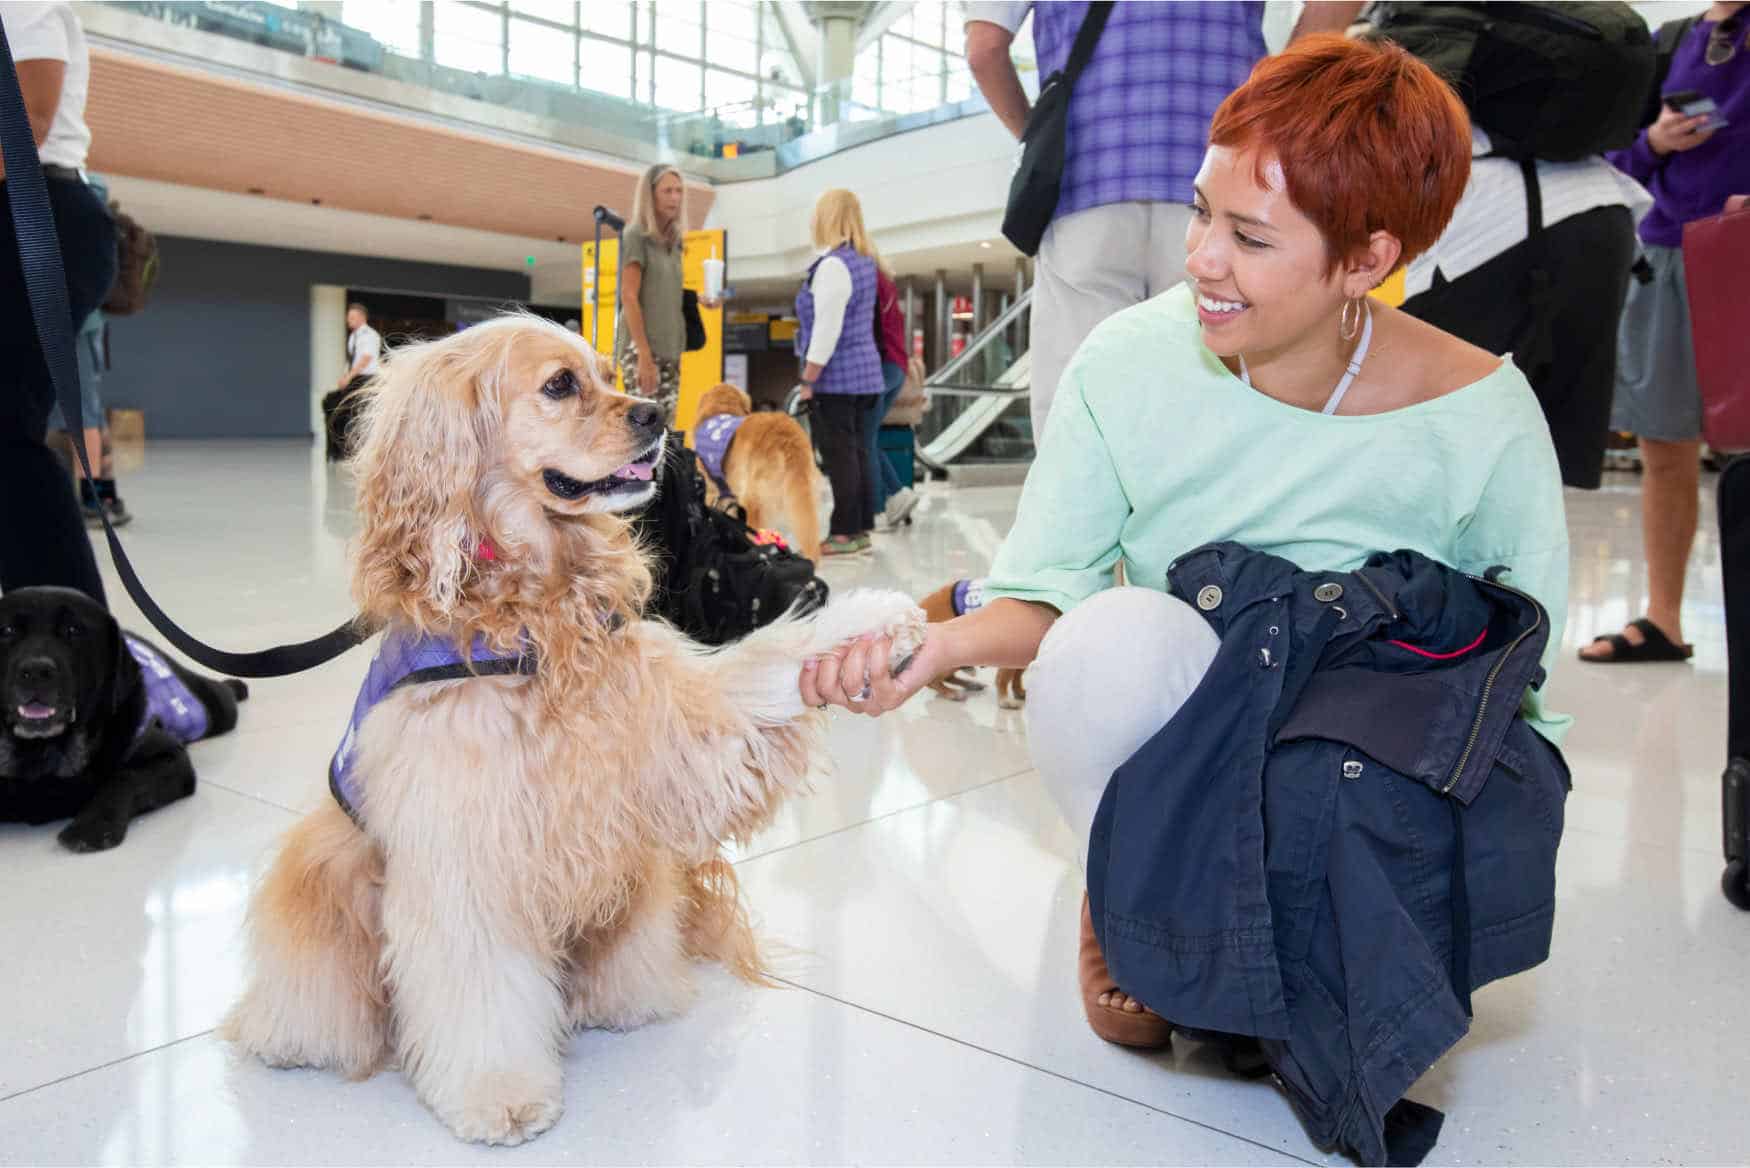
(1369, 139)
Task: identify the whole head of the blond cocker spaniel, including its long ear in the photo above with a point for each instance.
(487, 447)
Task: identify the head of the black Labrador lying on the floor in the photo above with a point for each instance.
(59, 659)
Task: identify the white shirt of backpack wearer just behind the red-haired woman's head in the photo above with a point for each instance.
(1492, 215)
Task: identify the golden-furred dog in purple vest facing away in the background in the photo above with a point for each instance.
(769, 468)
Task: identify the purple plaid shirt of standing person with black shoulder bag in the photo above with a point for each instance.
(1140, 115)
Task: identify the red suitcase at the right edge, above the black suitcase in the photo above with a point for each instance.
(1718, 274)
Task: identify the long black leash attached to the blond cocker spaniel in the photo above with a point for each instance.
(39, 255)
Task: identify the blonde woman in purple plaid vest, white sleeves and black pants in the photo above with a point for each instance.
(841, 370)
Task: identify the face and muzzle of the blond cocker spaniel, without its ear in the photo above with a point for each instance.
(568, 437)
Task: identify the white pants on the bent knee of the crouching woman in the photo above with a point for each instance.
(1109, 677)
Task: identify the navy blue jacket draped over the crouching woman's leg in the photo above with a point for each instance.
(1348, 791)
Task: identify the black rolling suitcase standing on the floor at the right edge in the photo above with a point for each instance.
(1735, 785)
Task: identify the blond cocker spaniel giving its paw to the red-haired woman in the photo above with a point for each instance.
(533, 854)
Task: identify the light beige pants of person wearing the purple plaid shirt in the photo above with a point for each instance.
(1091, 265)
